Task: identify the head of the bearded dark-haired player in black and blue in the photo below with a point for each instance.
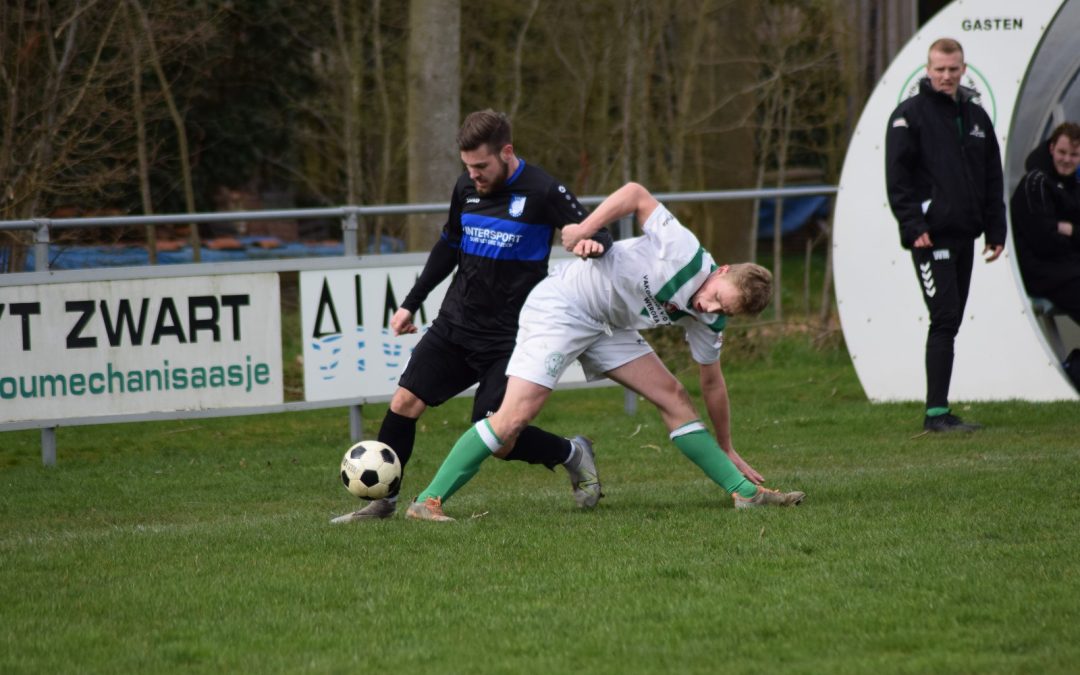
(487, 144)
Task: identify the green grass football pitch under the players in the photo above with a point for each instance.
(204, 546)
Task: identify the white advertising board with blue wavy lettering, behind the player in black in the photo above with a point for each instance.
(349, 349)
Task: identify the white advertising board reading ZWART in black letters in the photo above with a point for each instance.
(140, 346)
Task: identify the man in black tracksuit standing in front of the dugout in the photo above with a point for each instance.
(943, 172)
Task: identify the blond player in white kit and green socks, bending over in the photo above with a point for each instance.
(591, 310)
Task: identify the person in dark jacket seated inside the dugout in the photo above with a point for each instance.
(1046, 219)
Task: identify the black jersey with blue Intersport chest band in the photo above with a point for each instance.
(501, 244)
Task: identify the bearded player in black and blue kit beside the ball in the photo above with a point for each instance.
(498, 236)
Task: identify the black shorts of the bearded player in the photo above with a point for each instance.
(440, 370)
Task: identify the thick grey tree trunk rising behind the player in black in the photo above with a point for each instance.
(434, 80)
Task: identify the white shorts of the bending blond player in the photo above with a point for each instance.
(553, 332)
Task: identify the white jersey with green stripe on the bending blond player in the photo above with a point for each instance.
(650, 281)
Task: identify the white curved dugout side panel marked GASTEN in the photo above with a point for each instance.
(1001, 353)
